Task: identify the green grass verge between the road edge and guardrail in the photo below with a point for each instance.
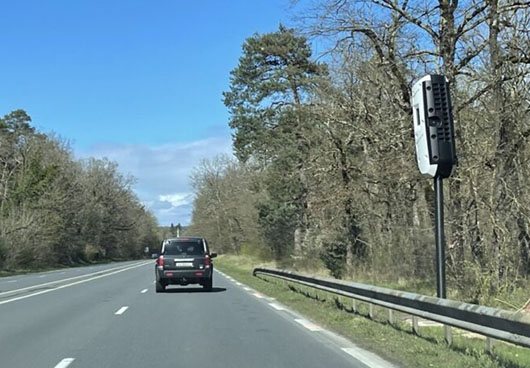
(394, 342)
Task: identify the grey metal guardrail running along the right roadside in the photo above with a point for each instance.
(495, 323)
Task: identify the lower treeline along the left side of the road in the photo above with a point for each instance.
(55, 210)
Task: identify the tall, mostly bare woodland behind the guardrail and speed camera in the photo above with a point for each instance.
(326, 170)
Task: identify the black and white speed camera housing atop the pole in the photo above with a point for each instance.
(433, 126)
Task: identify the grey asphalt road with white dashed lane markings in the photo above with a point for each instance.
(110, 316)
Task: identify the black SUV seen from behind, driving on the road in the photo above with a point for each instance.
(184, 261)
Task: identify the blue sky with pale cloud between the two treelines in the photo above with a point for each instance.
(139, 82)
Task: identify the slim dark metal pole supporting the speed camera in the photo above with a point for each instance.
(440, 241)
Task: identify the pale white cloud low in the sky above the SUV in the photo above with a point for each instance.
(162, 172)
